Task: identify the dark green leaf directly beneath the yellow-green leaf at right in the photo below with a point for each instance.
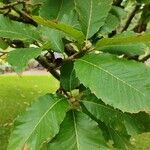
(129, 49)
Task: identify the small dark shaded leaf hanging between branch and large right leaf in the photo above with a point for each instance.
(68, 78)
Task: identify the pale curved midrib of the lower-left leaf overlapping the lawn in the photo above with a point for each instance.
(41, 120)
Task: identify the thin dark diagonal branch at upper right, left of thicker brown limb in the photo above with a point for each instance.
(131, 16)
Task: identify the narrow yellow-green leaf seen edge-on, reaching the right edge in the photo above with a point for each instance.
(139, 38)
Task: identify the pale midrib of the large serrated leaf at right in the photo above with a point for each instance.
(118, 79)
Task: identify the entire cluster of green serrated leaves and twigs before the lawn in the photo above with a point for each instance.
(104, 93)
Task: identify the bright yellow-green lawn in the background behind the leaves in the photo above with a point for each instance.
(16, 93)
